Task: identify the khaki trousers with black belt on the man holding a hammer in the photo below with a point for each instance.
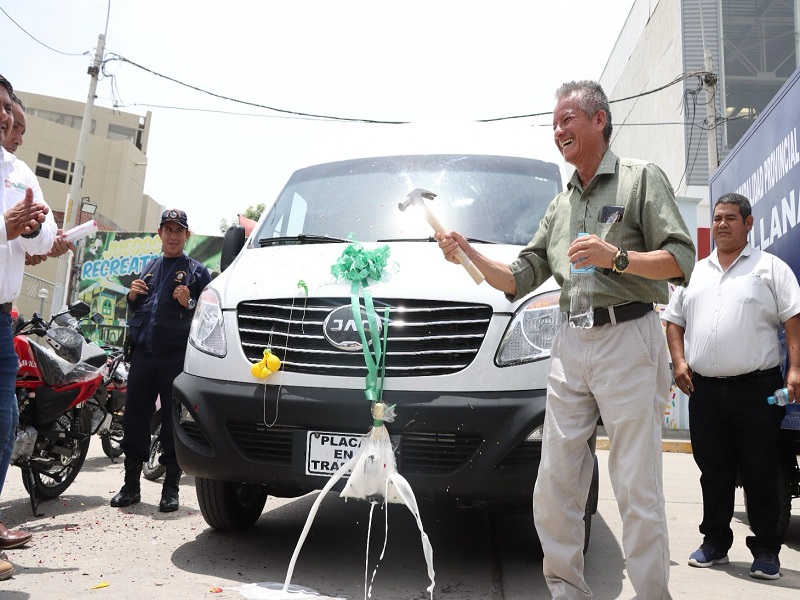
(620, 372)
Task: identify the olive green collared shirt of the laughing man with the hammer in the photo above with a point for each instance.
(651, 221)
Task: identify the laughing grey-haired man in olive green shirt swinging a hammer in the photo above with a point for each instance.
(617, 369)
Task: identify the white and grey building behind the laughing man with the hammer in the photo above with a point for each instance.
(752, 46)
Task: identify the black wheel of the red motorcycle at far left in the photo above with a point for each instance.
(52, 483)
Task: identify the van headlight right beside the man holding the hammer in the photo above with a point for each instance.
(529, 336)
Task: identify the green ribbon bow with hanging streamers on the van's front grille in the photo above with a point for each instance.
(359, 266)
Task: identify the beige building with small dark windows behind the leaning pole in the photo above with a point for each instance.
(112, 183)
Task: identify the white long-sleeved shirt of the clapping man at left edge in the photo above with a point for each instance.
(16, 177)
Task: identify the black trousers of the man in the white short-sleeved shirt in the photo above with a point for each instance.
(734, 430)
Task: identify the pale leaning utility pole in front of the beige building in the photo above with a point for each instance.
(64, 272)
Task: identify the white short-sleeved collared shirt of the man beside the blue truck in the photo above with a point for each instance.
(733, 318)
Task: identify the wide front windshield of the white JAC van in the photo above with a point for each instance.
(496, 199)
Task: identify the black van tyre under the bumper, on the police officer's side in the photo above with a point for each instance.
(229, 506)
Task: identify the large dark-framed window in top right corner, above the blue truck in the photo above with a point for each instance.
(758, 56)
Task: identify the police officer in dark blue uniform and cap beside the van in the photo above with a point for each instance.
(161, 305)
